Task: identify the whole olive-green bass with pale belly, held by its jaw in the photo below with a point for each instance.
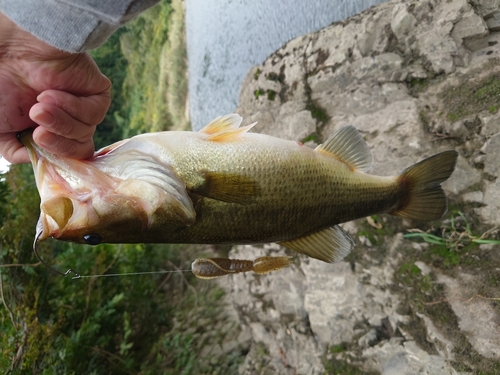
(226, 185)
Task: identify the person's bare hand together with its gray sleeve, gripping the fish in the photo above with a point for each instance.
(62, 92)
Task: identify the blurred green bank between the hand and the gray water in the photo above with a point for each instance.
(146, 61)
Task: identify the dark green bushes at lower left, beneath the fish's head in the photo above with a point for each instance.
(152, 324)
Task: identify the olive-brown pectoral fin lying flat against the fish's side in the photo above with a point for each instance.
(230, 188)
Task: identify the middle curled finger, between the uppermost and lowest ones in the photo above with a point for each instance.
(59, 122)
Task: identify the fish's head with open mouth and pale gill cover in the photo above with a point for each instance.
(120, 195)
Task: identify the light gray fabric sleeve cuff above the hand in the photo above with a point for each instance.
(73, 25)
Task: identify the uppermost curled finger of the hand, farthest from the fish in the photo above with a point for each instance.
(87, 109)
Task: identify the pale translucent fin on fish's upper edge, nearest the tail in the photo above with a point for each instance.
(348, 146)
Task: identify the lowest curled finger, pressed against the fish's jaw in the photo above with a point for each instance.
(60, 145)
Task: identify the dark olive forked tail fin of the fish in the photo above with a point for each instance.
(424, 199)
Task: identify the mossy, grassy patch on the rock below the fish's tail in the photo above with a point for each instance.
(455, 246)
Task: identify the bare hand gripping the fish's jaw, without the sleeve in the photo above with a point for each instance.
(64, 93)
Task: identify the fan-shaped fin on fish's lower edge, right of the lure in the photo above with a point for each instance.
(329, 245)
